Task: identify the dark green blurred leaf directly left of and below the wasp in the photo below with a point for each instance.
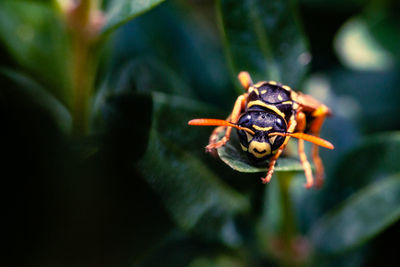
(190, 190)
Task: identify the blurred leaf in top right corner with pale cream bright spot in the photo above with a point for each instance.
(368, 41)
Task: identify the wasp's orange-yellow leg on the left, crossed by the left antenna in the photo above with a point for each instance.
(234, 117)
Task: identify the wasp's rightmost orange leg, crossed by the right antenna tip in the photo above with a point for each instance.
(319, 114)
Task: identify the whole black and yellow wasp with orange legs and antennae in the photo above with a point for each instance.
(266, 116)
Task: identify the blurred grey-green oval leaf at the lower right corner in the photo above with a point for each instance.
(359, 218)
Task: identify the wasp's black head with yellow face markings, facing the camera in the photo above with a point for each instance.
(260, 145)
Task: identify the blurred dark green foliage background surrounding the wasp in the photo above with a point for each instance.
(100, 168)
